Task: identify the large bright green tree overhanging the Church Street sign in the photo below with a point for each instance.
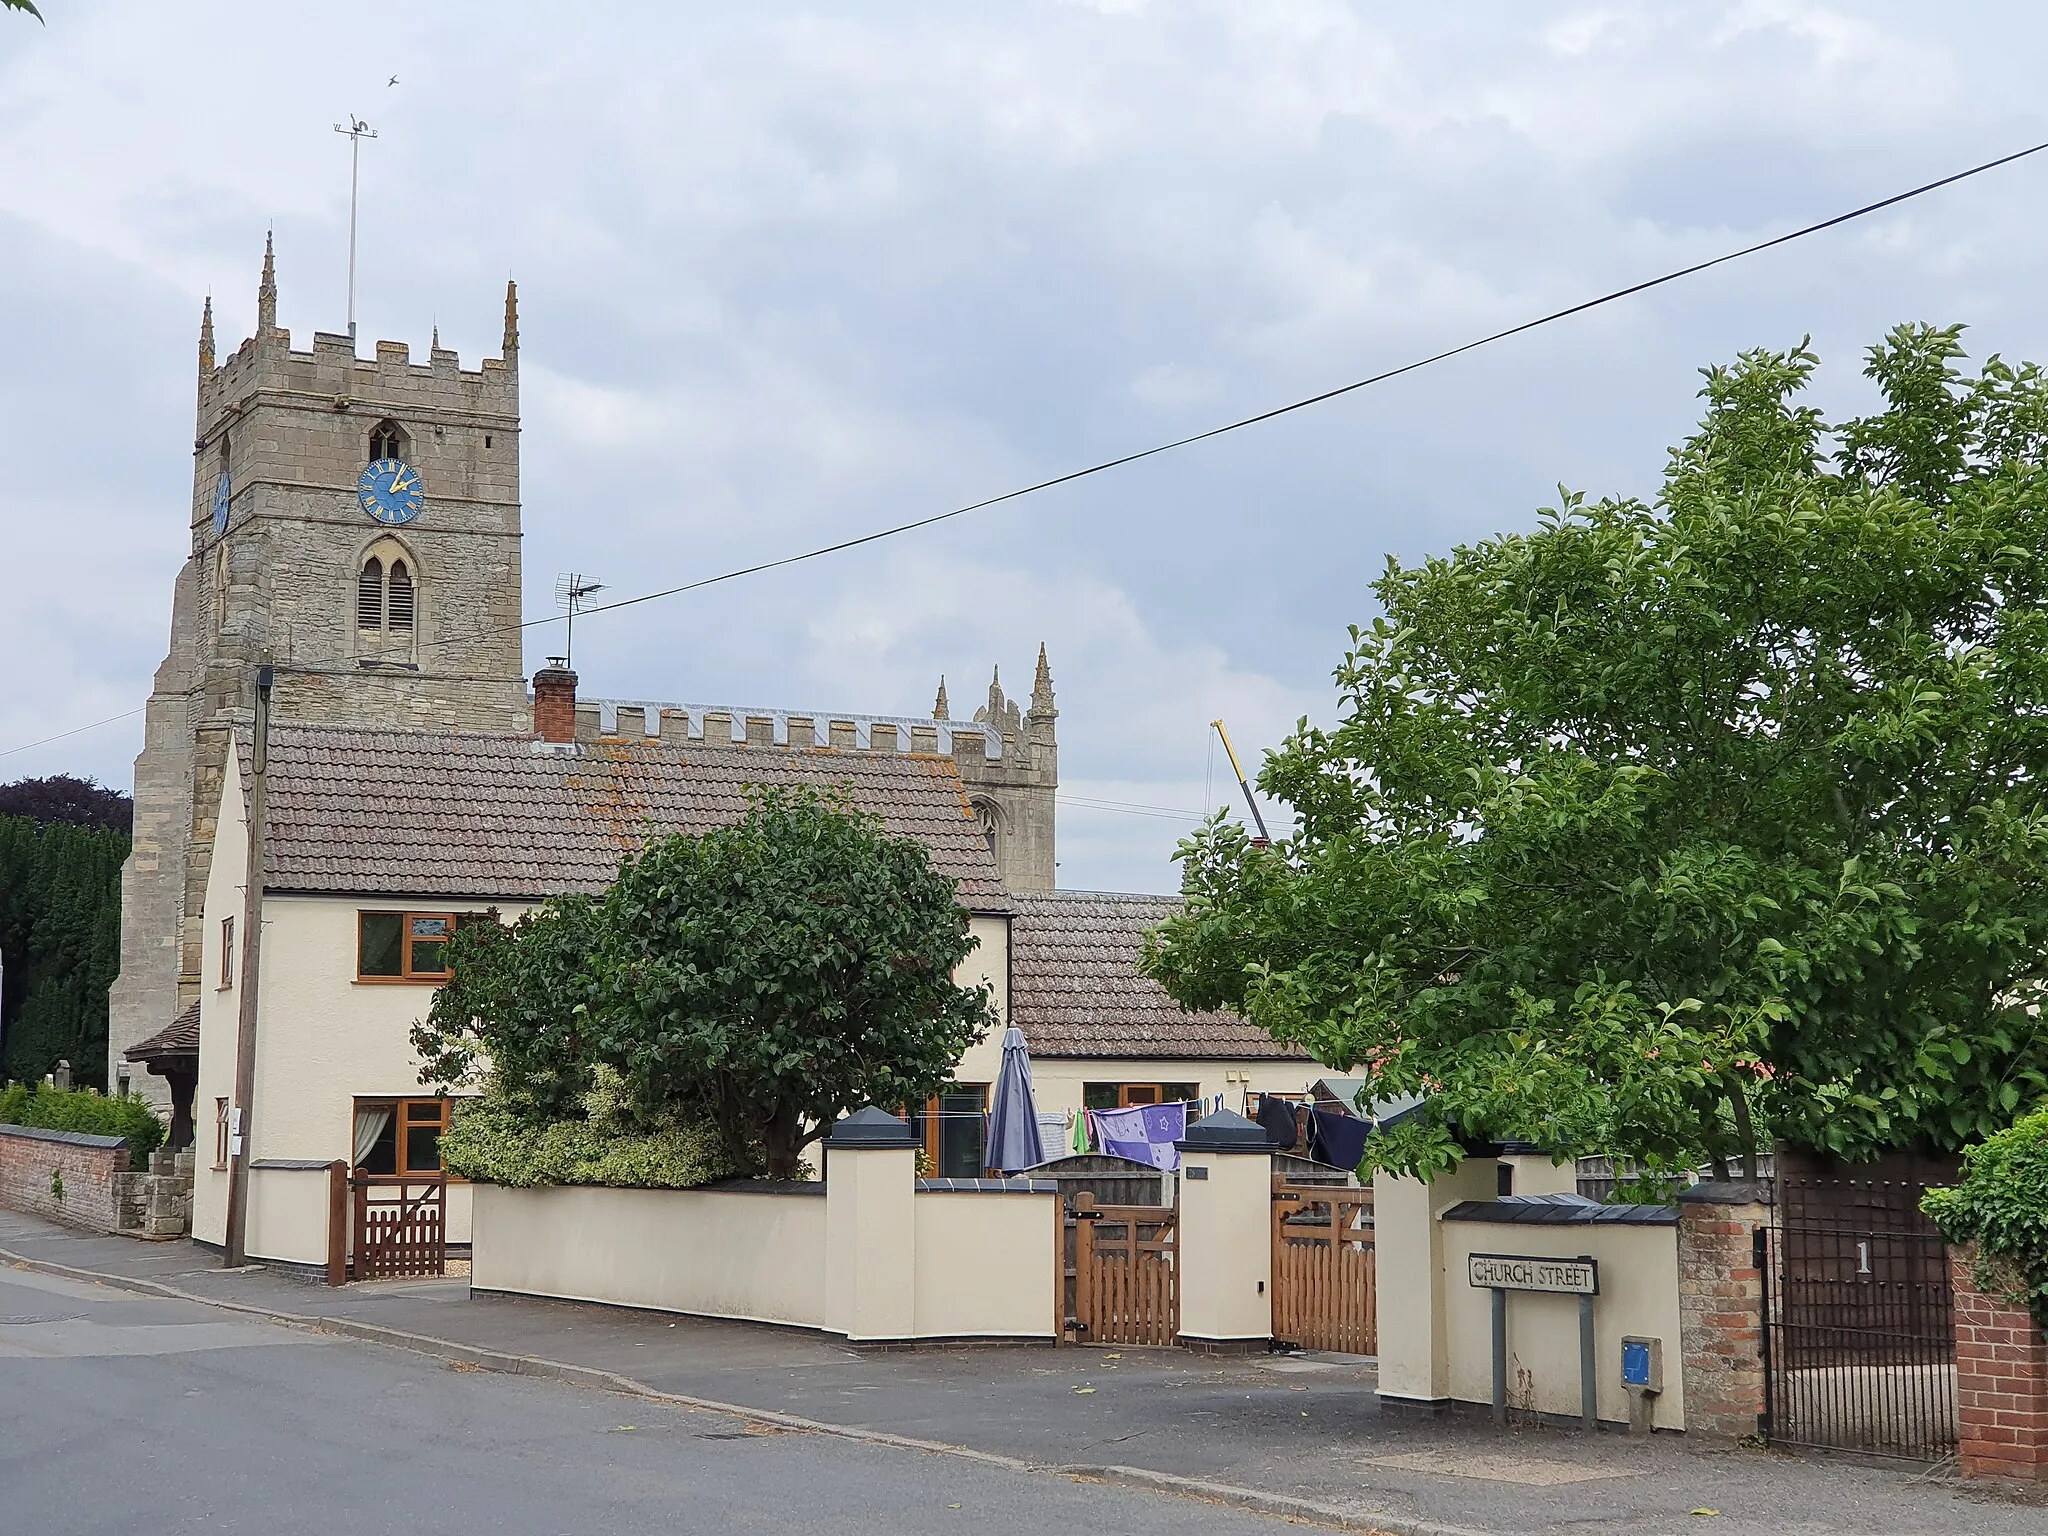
(1668, 828)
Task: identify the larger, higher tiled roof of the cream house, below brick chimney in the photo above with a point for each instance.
(364, 812)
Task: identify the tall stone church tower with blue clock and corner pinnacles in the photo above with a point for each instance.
(380, 624)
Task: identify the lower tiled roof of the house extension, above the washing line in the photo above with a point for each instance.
(1076, 986)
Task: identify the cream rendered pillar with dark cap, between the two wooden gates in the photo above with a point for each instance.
(1224, 1248)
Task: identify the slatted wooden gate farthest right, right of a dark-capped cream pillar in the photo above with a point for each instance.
(1326, 1291)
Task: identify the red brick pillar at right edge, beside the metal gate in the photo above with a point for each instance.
(2002, 1383)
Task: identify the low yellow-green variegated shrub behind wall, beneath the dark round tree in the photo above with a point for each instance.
(495, 1142)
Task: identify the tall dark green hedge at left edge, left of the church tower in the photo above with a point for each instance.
(60, 943)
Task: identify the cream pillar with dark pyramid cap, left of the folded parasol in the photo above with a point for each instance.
(871, 1228)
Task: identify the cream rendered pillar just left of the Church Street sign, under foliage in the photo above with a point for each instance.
(1410, 1256)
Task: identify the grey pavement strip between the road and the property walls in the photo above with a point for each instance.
(1277, 1435)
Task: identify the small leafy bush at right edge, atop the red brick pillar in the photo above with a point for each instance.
(2002, 1205)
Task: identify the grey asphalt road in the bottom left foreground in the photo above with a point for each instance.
(130, 1414)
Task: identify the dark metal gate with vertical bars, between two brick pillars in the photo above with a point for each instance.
(1859, 1340)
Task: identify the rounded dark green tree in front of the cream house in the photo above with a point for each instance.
(763, 980)
